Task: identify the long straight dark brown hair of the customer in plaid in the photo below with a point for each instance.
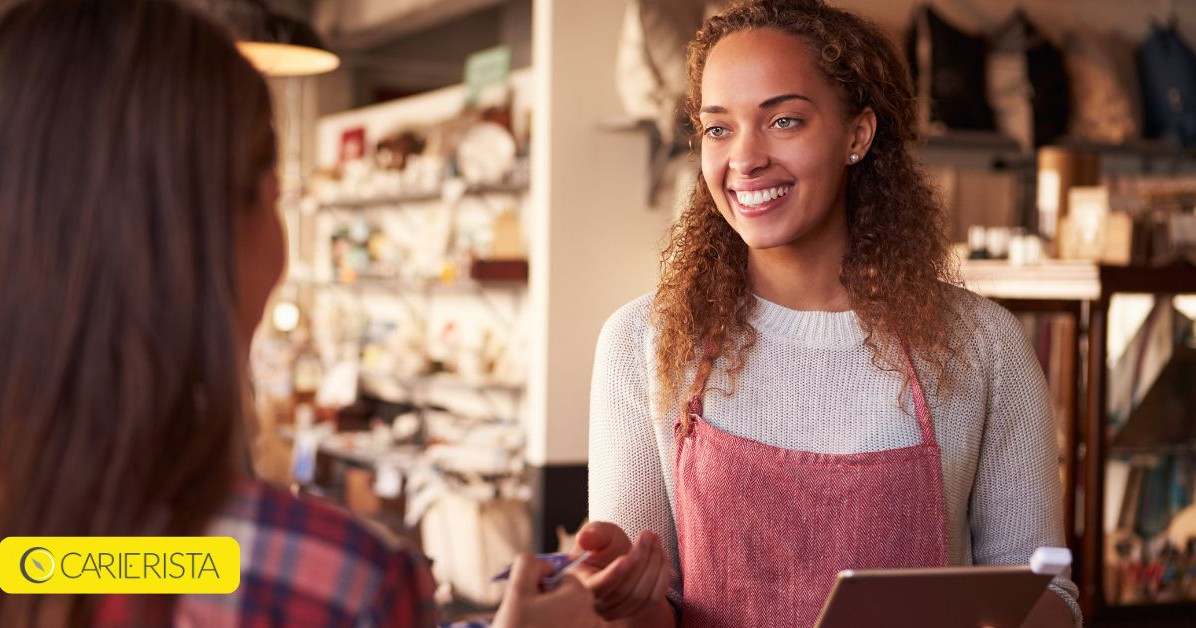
(131, 135)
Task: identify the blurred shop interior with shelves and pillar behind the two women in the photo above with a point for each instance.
(473, 186)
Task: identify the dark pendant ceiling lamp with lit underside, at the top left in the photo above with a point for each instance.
(277, 45)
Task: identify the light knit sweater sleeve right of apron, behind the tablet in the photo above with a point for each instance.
(1017, 499)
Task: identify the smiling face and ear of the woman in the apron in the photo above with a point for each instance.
(776, 141)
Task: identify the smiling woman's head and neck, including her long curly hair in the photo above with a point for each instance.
(811, 95)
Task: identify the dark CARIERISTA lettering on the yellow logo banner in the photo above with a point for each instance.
(137, 565)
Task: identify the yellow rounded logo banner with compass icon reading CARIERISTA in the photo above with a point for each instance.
(120, 565)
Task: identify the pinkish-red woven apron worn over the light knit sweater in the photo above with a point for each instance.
(762, 531)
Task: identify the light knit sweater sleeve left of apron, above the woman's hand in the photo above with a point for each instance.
(627, 473)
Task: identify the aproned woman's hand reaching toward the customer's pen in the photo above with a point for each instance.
(626, 578)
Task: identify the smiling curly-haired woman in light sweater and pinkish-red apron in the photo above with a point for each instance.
(807, 392)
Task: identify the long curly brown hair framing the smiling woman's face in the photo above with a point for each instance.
(898, 270)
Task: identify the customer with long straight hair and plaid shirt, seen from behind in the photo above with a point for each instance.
(139, 243)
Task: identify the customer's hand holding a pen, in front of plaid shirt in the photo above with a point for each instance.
(526, 606)
